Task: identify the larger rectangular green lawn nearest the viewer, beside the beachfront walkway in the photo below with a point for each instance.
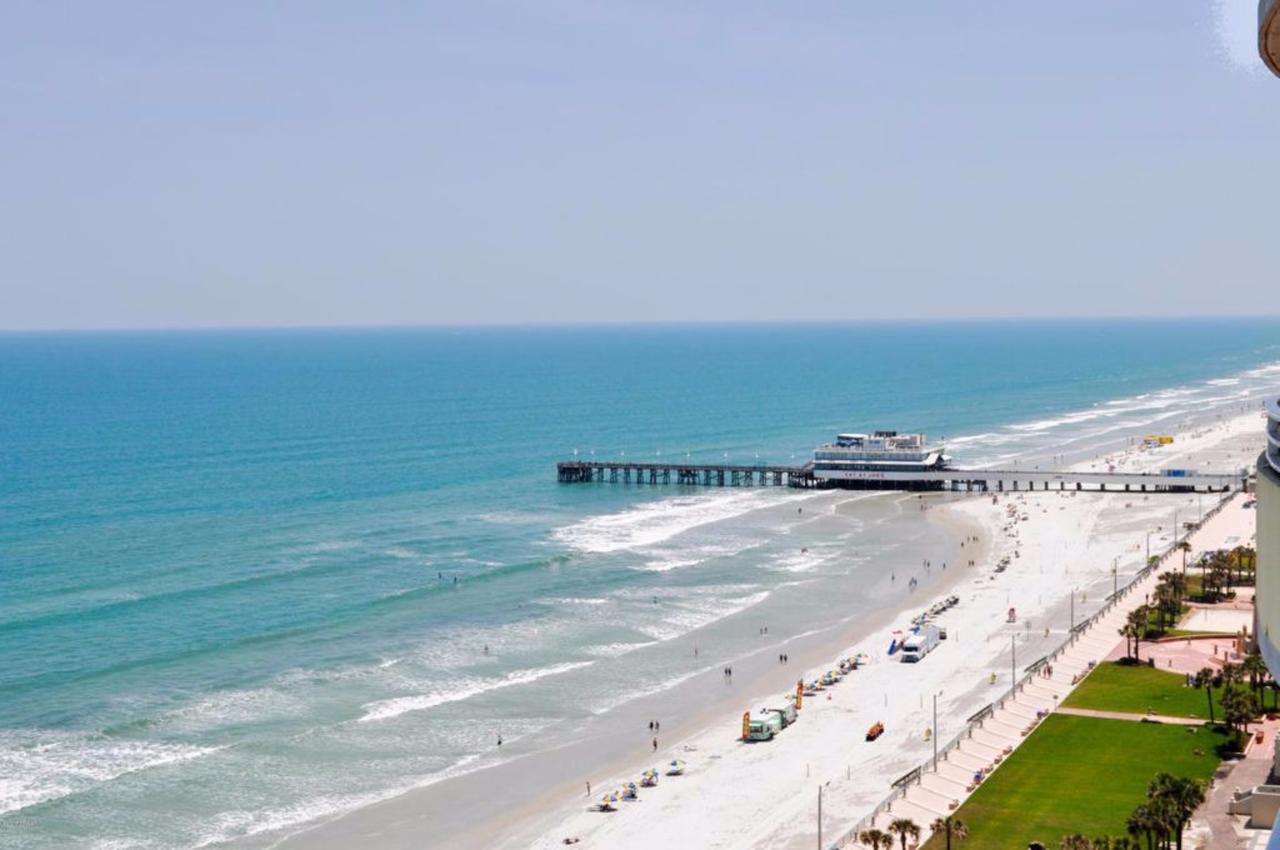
(1080, 775)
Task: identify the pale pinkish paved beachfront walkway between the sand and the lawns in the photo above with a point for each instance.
(996, 732)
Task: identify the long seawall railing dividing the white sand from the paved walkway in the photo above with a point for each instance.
(979, 720)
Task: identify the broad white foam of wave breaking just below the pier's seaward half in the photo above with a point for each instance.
(659, 522)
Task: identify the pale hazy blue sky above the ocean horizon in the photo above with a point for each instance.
(323, 163)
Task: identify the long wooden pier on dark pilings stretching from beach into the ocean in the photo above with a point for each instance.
(956, 481)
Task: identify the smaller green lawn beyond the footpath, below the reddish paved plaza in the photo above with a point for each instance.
(1136, 689)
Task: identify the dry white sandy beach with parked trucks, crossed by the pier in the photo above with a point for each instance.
(756, 796)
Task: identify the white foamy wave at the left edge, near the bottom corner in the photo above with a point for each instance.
(38, 766)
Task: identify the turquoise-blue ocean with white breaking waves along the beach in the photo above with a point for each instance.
(254, 579)
